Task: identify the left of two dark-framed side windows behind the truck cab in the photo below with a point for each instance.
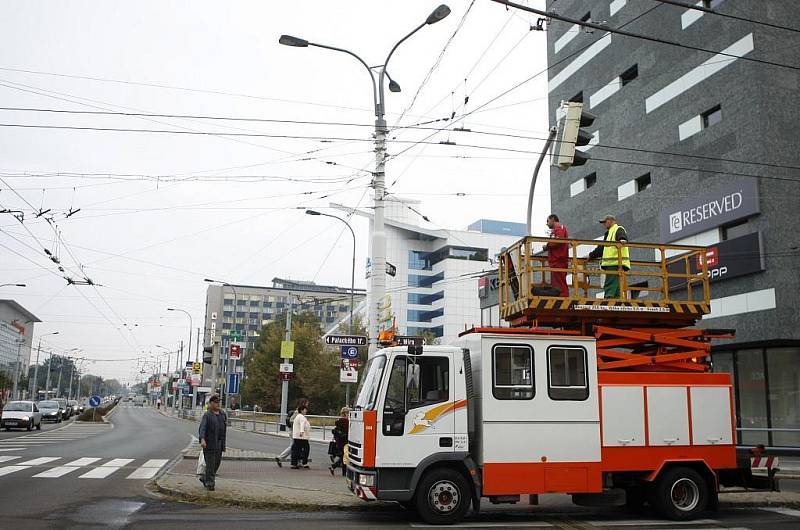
(512, 372)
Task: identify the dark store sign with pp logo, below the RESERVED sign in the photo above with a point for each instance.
(727, 259)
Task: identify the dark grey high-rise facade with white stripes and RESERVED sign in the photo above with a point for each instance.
(697, 148)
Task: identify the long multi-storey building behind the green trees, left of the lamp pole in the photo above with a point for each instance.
(240, 311)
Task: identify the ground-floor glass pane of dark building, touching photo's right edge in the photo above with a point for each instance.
(784, 394)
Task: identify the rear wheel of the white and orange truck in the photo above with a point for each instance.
(680, 494)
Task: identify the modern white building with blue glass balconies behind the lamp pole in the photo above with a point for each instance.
(433, 288)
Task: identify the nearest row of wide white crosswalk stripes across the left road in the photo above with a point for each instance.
(87, 465)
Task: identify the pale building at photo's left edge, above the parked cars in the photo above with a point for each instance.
(16, 337)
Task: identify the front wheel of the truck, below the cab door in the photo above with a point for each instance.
(443, 496)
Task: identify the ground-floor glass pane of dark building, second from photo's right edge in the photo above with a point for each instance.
(751, 385)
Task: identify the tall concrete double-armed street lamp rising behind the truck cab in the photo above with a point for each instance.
(378, 277)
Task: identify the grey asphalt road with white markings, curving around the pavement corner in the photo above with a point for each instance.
(95, 477)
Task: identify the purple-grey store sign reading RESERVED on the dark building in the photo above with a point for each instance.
(727, 203)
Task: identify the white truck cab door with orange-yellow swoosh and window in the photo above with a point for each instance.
(417, 416)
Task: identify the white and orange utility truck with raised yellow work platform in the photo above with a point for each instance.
(609, 400)
